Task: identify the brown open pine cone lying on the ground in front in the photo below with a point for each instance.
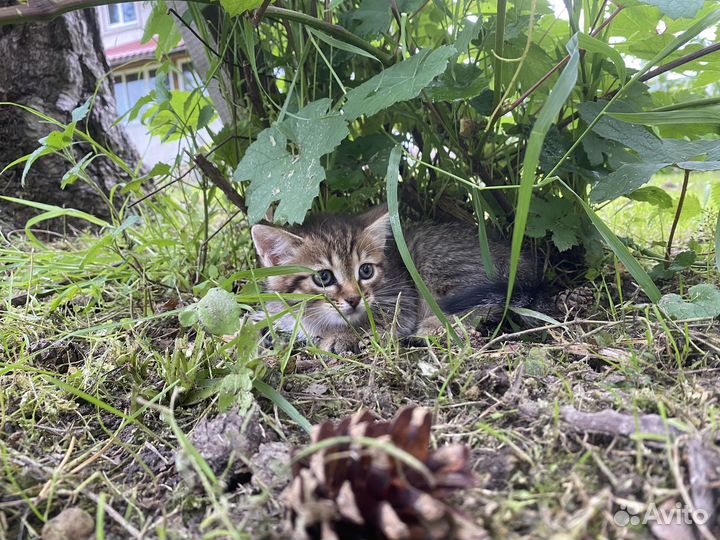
(364, 489)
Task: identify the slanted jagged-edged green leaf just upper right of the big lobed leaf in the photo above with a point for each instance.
(400, 82)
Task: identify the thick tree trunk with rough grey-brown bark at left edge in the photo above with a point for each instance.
(54, 68)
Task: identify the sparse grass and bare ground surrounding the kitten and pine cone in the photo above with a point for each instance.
(101, 388)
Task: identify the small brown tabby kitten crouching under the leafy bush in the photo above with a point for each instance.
(357, 266)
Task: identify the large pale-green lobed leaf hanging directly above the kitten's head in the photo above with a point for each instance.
(293, 180)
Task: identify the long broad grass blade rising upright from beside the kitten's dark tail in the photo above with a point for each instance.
(555, 101)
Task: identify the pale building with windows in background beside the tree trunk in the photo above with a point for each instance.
(133, 67)
